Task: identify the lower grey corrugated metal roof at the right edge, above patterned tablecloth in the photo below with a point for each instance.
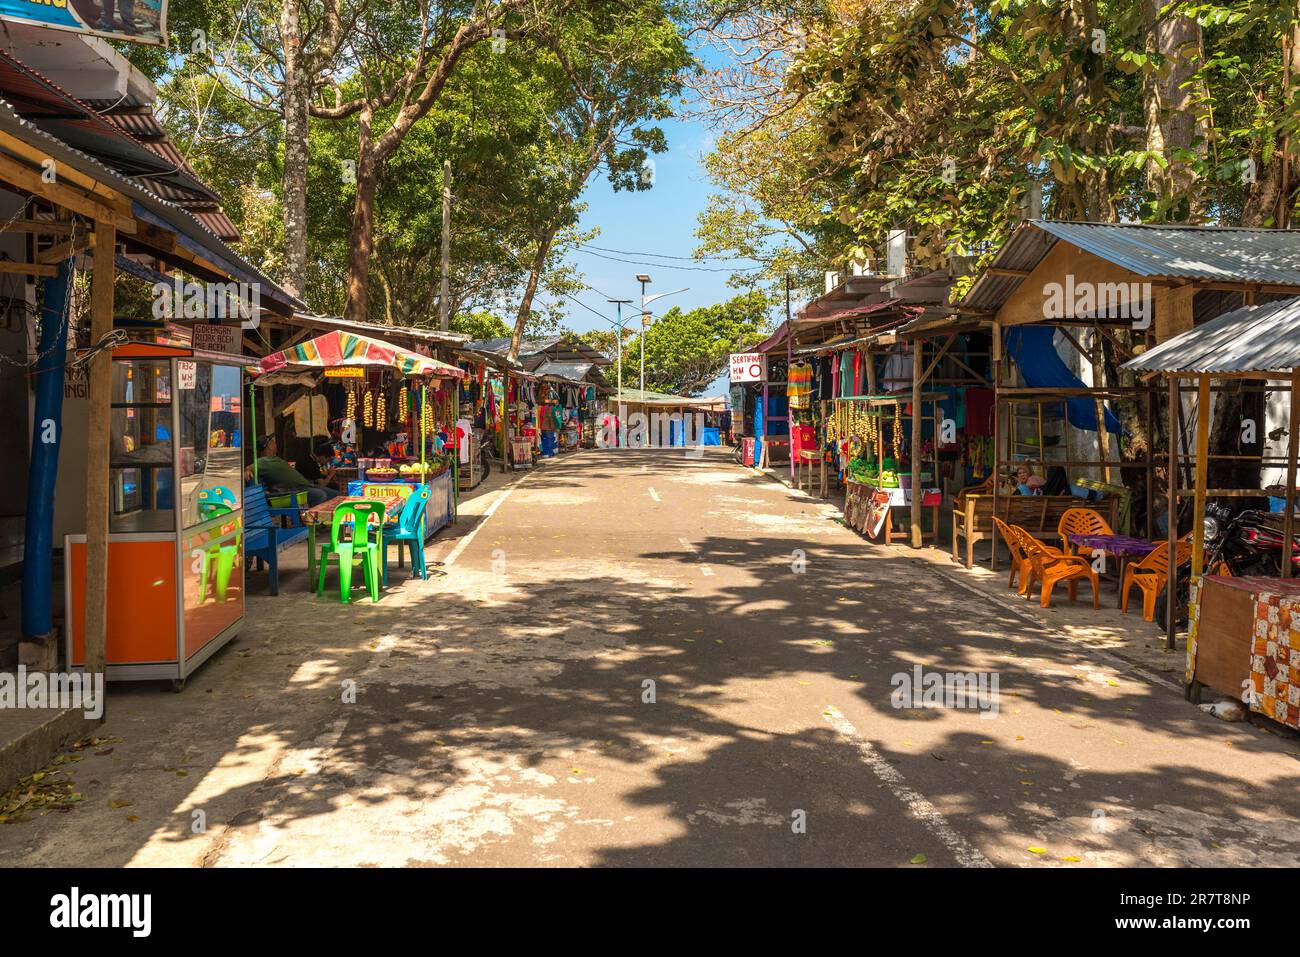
(1255, 339)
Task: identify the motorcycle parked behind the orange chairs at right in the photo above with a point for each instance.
(1238, 544)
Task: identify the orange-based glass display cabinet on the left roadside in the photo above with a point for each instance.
(176, 590)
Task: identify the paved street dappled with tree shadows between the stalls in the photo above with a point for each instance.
(504, 712)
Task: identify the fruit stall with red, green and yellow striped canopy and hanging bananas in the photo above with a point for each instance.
(392, 415)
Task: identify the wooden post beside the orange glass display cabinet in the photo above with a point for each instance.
(101, 382)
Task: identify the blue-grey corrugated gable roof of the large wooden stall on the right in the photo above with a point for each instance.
(1214, 254)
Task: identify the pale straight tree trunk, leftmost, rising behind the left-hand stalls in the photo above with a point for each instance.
(297, 102)
